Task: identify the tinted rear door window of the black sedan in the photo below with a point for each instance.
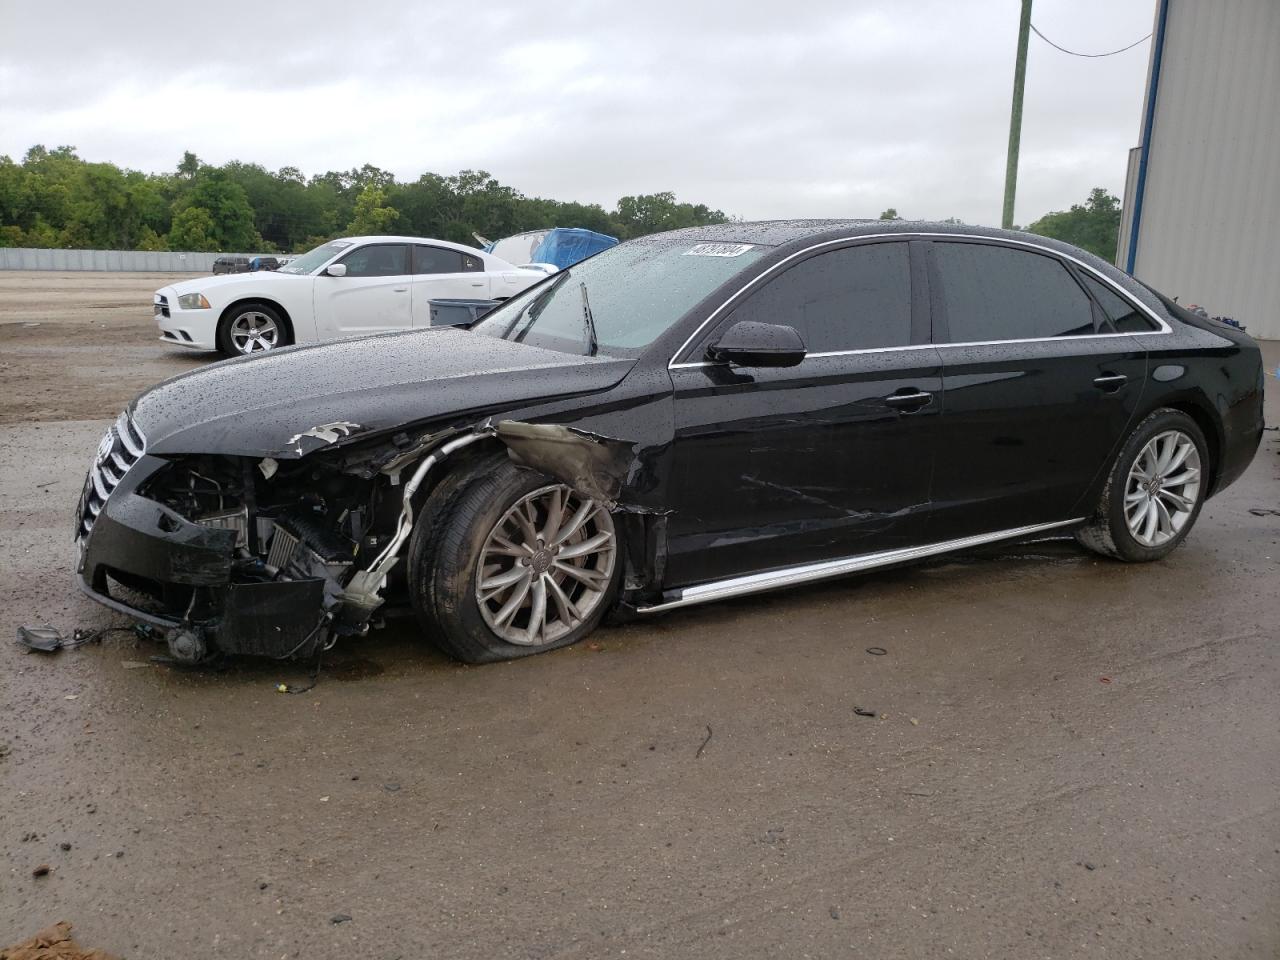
(1000, 294)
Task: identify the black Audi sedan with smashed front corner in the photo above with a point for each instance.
(685, 418)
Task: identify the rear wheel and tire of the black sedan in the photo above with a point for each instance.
(1154, 493)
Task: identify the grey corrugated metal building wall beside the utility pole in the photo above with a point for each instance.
(1210, 225)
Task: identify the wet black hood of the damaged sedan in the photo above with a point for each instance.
(345, 391)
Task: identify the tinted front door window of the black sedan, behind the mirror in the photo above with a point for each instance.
(852, 299)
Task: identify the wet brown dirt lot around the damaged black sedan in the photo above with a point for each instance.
(1072, 757)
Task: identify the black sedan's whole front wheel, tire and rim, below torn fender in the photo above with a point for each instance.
(515, 564)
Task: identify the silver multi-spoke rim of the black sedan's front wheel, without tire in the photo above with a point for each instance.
(546, 566)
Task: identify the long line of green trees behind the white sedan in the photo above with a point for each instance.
(53, 198)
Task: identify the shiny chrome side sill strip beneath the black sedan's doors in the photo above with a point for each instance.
(808, 573)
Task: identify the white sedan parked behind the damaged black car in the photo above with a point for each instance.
(344, 289)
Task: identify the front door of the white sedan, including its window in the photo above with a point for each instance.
(373, 298)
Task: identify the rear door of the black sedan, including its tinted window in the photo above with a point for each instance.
(1039, 388)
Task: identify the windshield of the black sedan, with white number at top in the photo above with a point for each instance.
(637, 292)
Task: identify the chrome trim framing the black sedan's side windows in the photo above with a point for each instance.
(715, 316)
